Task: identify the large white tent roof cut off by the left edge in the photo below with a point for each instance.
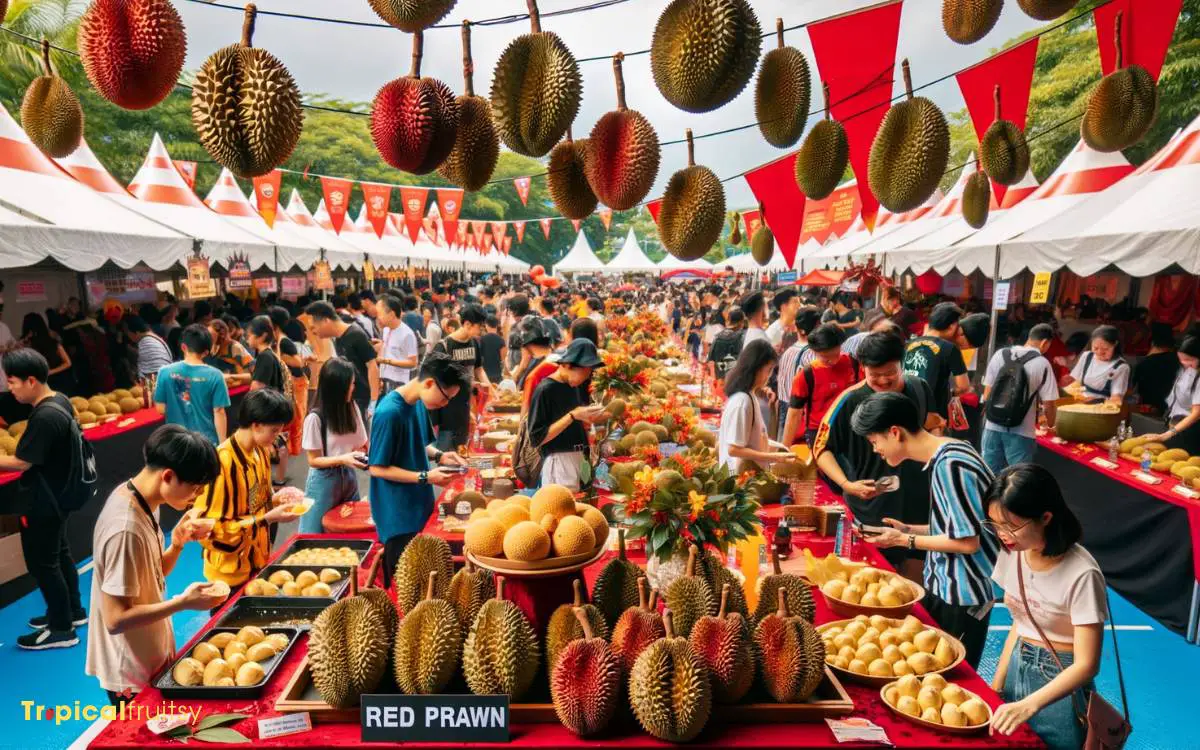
(33, 184)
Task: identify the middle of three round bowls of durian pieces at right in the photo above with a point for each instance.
(878, 650)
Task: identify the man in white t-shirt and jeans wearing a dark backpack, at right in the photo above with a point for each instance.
(1016, 381)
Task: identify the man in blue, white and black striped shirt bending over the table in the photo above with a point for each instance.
(961, 556)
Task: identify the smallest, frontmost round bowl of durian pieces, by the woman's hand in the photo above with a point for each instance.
(937, 705)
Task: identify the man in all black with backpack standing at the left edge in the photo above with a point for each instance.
(59, 477)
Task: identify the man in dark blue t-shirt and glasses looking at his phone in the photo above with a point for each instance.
(401, 449)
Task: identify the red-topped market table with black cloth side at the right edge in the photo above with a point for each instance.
(1147, 537)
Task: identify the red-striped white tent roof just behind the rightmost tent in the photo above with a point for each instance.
(1083, 173)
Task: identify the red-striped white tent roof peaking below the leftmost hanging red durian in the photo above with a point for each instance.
(166, 197)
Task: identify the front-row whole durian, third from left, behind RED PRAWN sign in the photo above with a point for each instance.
(501, 653)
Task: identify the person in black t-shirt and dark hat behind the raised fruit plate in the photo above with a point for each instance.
(559, 419)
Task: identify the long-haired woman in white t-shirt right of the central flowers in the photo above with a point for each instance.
(743, 434)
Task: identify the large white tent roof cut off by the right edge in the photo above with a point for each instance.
(1144, 224)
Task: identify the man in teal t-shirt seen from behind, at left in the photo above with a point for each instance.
(191, 393)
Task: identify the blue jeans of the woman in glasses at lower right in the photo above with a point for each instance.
(1030, 669)
